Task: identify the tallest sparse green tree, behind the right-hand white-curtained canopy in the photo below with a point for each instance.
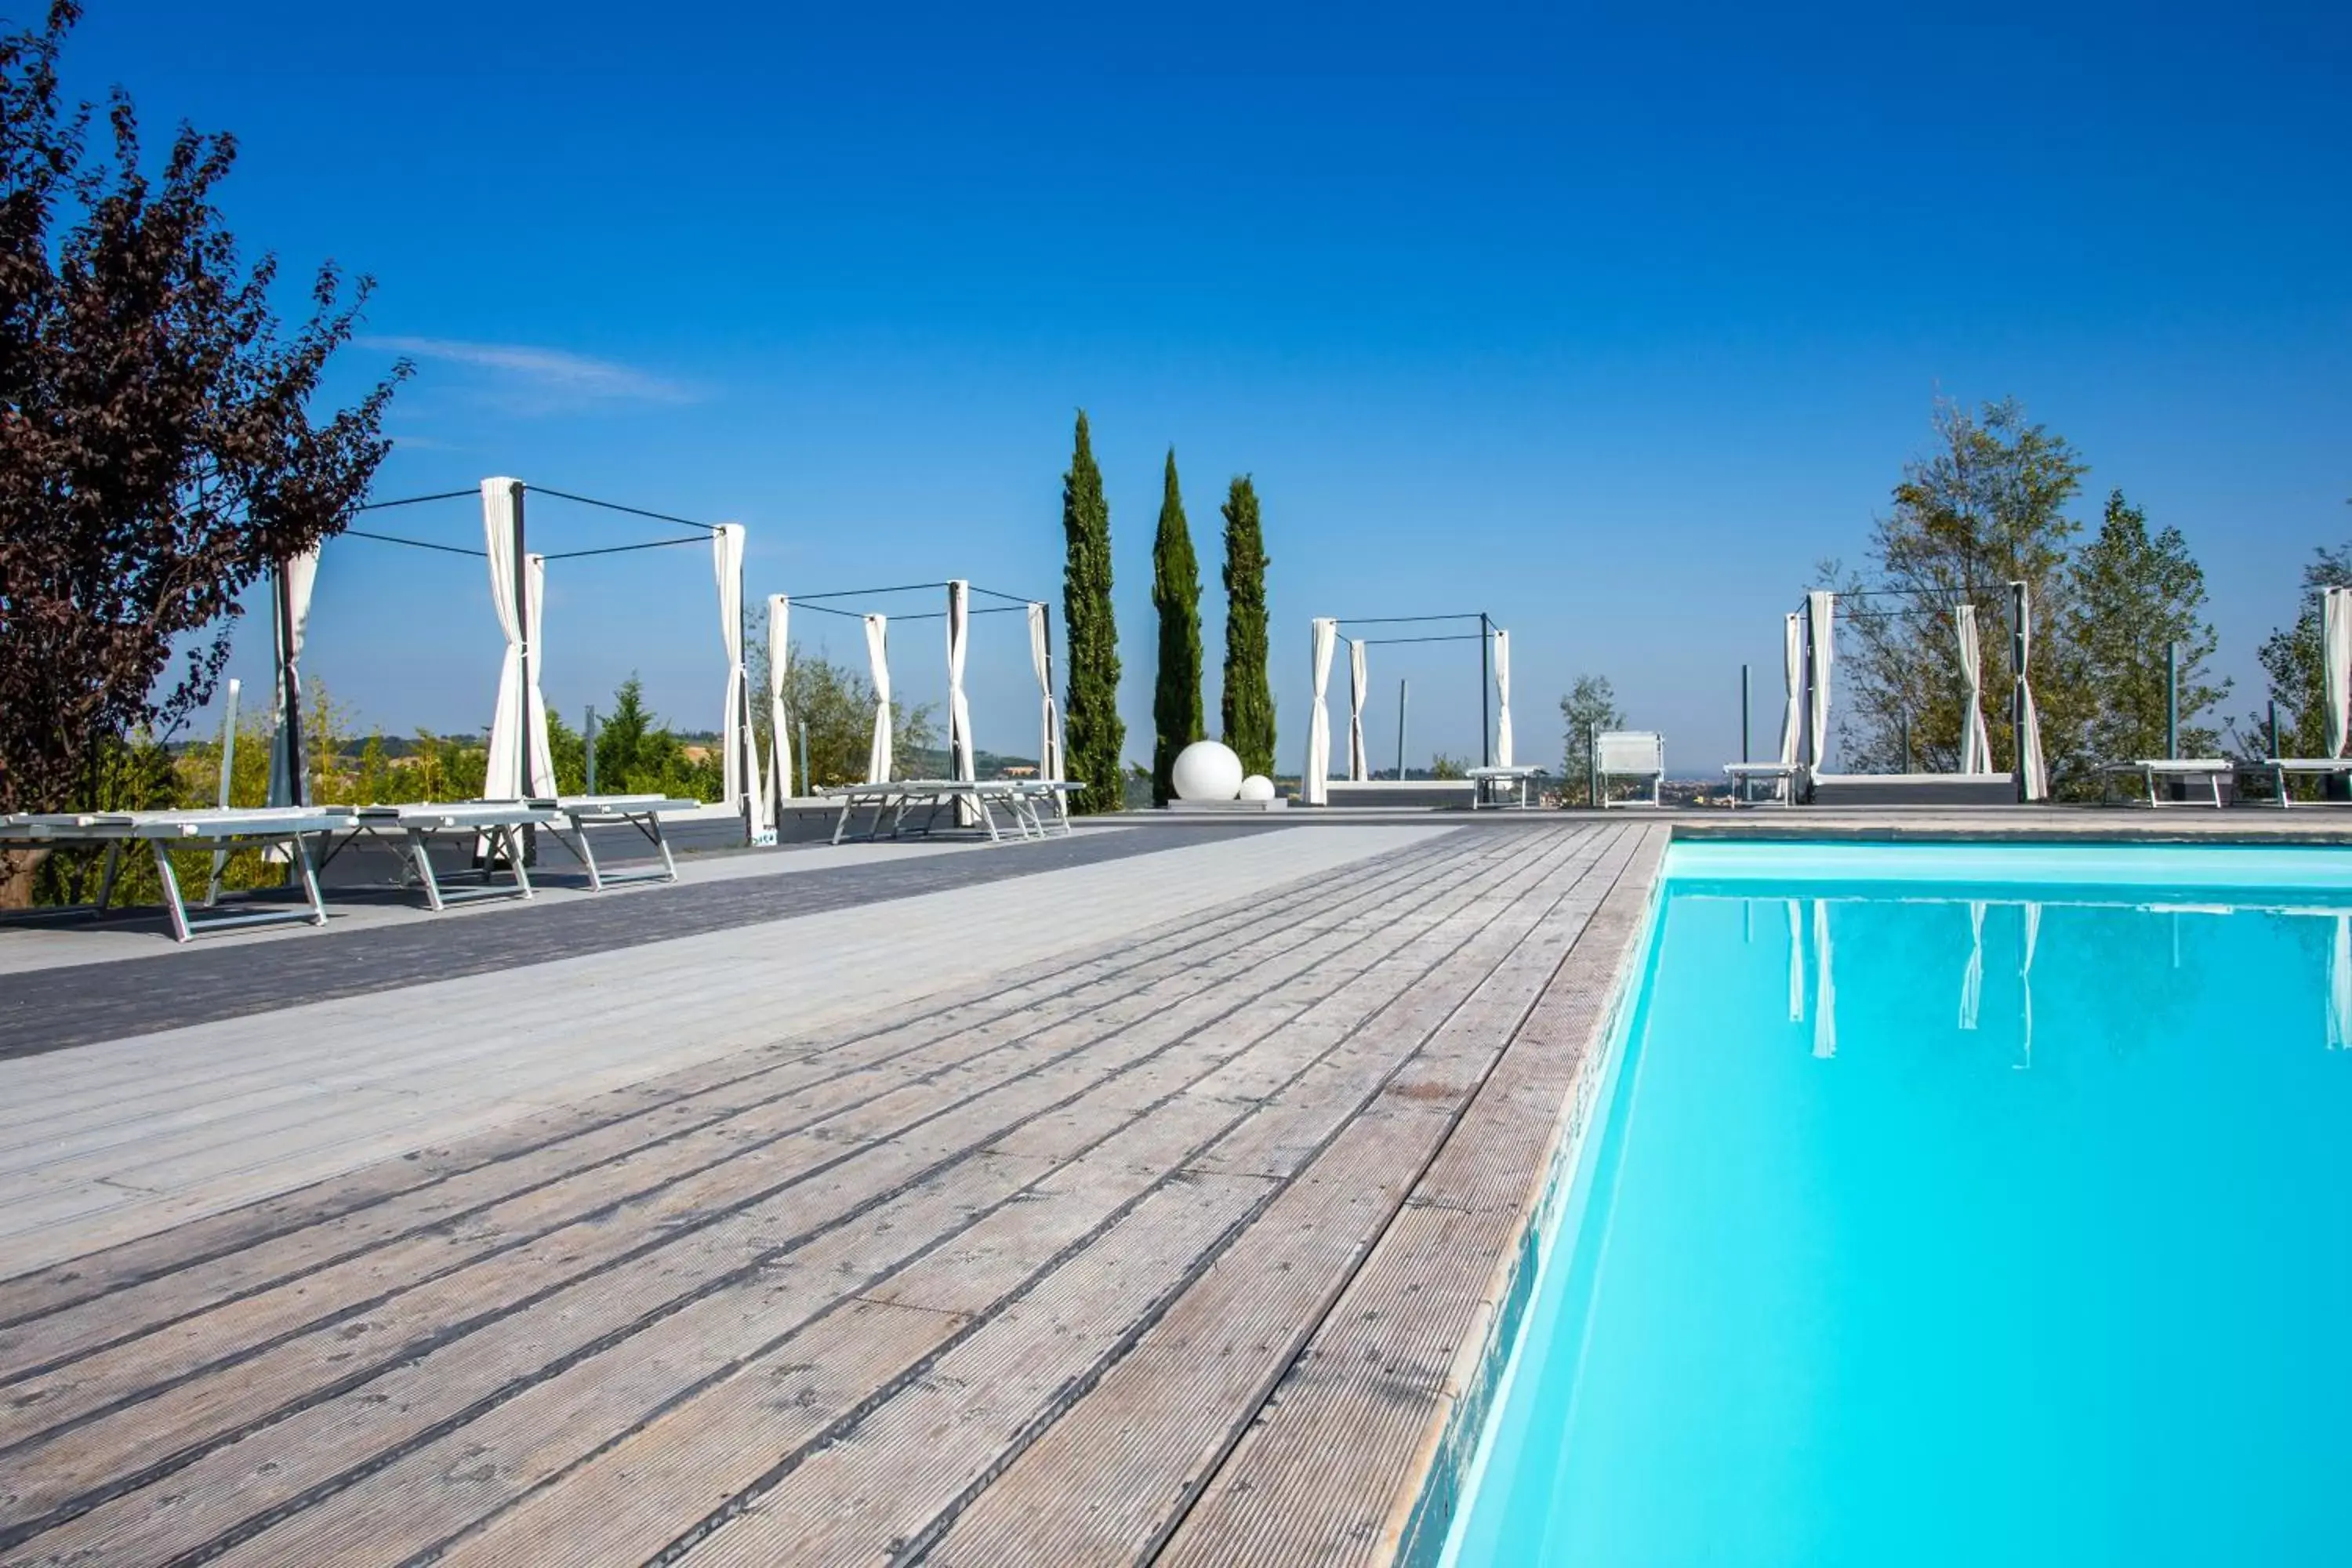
(1984, 509)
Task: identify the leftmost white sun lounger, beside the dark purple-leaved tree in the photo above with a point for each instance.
(211, 829)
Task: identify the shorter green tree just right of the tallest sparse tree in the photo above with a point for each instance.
(2132, 596)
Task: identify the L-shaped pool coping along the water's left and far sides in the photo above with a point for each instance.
(1431, 1492)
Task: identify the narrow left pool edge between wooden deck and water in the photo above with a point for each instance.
(1605, 960)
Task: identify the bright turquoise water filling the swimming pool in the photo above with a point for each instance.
(1953, 1207)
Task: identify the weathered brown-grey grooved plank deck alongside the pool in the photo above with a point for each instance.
(1172, 1249)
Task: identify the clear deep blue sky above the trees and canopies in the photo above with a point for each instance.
(1608, 321)
